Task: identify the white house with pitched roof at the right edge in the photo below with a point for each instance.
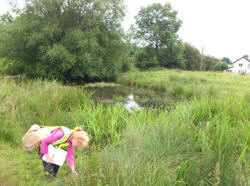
(240, 66)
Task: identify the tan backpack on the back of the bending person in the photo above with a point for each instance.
(31, 140)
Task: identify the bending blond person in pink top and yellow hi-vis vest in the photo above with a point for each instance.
(62, 137)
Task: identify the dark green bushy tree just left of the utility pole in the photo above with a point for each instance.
(192, 57)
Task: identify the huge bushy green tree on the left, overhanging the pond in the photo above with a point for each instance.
(67, 39)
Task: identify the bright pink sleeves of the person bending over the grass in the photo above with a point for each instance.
(57, 134)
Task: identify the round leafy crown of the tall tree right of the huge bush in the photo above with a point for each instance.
(157, 25)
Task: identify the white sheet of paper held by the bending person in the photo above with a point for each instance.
(58, 156)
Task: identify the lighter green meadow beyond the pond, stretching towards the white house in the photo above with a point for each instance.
(187, 84)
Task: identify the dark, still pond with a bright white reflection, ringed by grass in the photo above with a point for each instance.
(130, 97)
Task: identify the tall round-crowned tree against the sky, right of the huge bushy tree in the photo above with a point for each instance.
(157, 27)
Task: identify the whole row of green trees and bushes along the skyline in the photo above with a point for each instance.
(72, 40)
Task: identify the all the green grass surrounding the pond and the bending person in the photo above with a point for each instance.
(203, 140)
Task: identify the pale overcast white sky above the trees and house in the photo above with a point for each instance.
(222, 27)
